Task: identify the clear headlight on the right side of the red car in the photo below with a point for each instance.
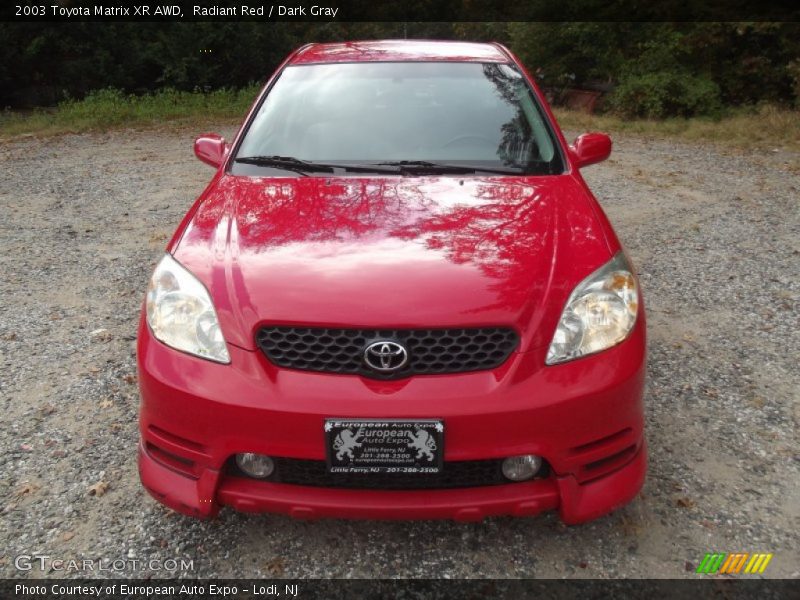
(599, 314)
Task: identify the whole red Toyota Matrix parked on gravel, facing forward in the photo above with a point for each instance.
(397, 298)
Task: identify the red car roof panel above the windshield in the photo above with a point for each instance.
(400, 50)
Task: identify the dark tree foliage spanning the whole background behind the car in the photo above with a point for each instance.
(650, 69)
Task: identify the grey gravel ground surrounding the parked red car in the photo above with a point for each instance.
(715, 236)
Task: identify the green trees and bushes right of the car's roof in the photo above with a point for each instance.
(667, 69)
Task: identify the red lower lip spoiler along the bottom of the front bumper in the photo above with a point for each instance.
(576, 502)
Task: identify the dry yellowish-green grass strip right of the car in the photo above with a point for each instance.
(762, 127)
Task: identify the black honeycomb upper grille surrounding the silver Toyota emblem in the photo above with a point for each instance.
(430, 351)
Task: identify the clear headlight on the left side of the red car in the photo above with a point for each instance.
(180, 312)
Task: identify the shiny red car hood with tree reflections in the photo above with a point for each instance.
(392, 251)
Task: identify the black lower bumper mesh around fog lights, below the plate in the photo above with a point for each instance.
(459, 474)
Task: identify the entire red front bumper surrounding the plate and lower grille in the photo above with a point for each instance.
(585, 418)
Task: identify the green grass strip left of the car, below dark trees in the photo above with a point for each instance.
(110, 109)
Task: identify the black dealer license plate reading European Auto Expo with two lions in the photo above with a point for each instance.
(385, 446)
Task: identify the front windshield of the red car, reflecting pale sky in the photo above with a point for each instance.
(431, 114)
